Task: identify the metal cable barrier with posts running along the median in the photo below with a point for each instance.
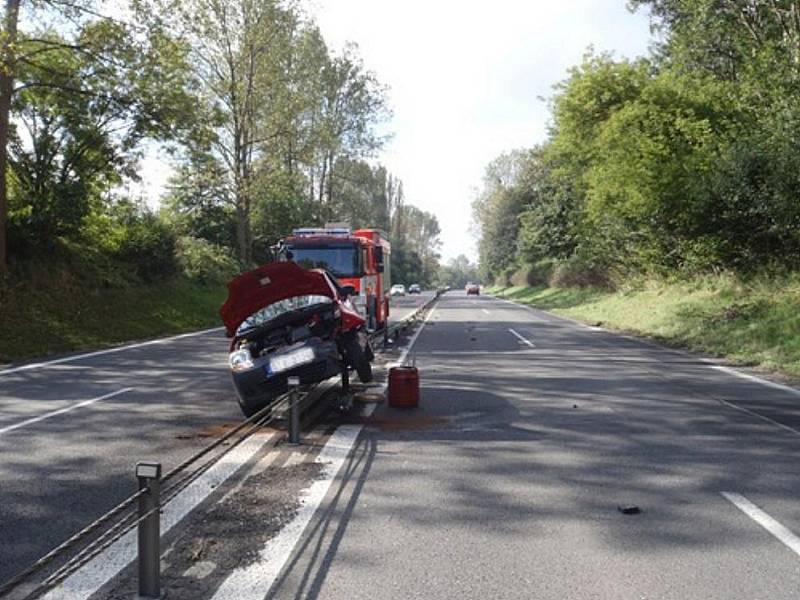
(142, 508)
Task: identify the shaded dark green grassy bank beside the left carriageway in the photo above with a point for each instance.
(59, 310)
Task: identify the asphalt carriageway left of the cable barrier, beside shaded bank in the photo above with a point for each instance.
(72, 429)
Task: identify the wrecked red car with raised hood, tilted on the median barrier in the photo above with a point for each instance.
(287, 321)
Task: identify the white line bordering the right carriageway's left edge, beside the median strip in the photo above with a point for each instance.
(255, 580)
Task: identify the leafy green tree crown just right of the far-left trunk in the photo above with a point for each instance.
(82, 120)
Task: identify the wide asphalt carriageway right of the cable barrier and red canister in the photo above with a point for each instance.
(533, 430)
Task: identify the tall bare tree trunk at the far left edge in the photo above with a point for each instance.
(6, 90)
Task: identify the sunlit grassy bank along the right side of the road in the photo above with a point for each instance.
(754, 323)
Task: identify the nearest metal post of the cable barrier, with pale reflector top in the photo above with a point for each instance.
(149, 476)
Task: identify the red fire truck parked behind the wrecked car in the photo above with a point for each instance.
(359, 258)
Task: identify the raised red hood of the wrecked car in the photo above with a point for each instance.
(270, 283)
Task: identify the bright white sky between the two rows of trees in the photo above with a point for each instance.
(466, 82)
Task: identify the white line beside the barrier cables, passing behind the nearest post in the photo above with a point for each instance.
(102, 568)
